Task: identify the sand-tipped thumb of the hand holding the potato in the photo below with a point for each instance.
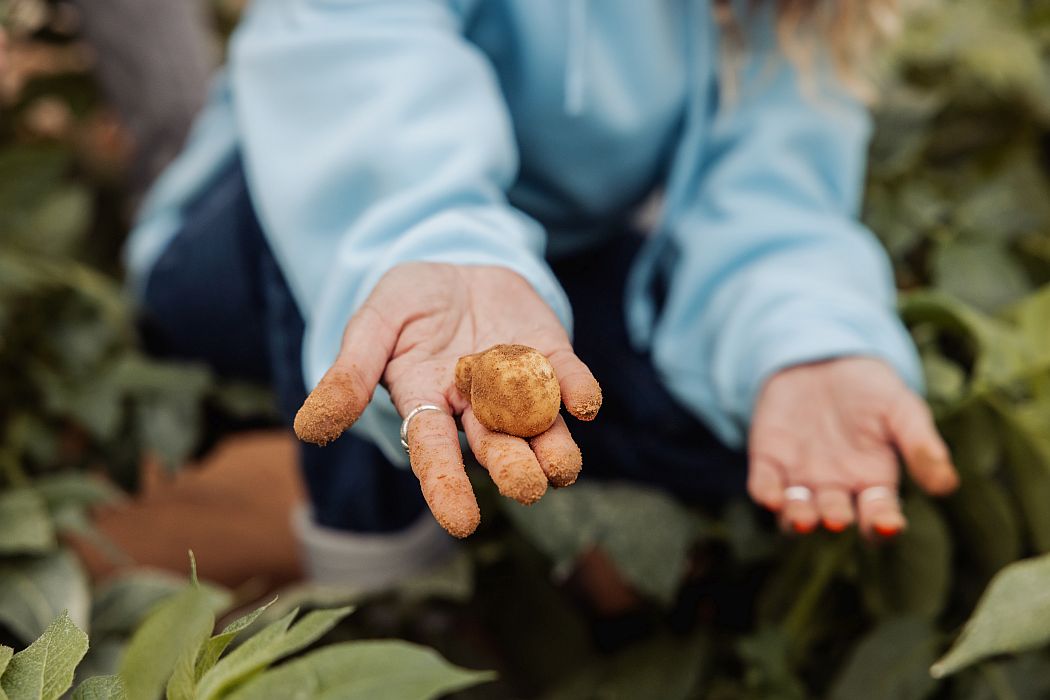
(346, 390)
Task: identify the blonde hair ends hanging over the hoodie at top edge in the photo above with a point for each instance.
(846, 32)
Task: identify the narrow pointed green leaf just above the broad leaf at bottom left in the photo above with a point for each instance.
(276, 642)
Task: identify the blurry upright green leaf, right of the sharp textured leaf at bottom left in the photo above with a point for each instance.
(175, 625)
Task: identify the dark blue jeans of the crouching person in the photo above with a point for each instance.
(217, 295)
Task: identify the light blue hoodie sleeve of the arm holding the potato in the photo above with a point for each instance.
(374, 135)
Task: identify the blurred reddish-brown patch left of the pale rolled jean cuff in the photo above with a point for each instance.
(234, 511)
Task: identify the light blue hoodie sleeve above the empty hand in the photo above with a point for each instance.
(767, 265)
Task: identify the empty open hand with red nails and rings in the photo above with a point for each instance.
(837, 429)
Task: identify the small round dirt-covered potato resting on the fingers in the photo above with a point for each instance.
(513, 390)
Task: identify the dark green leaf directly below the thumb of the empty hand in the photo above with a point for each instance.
(912, 575)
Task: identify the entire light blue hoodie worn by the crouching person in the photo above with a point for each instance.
(375, 133)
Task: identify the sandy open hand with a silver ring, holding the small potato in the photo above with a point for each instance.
(409, 334)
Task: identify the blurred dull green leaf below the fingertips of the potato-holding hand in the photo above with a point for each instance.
(620, 520)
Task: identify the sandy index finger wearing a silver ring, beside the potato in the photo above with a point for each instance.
(438, 464)
